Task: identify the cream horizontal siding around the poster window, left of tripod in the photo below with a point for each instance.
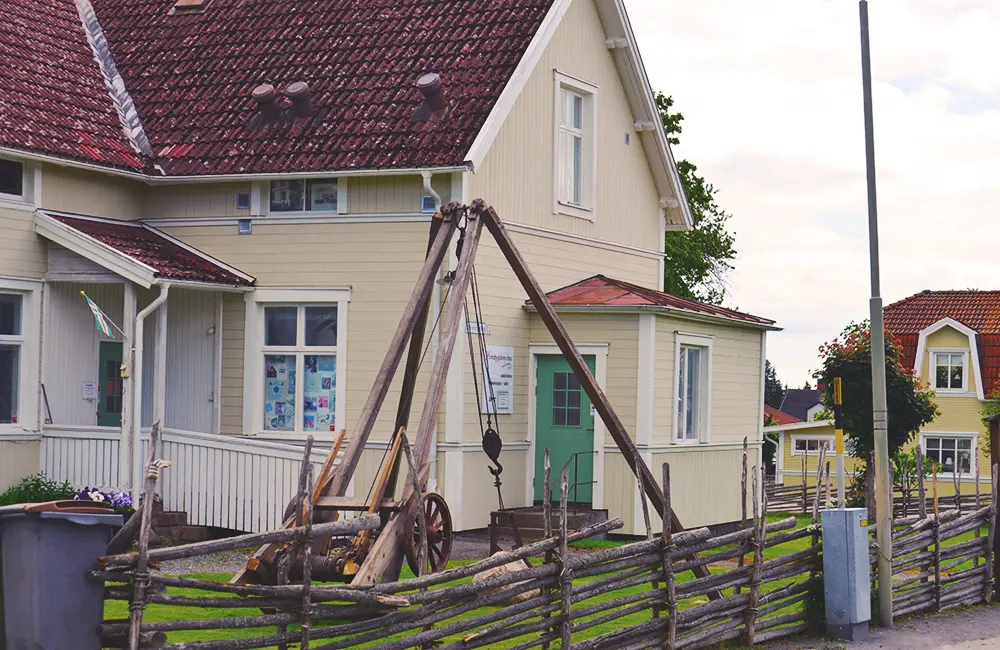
(378, 261)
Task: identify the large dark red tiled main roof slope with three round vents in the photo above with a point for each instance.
(191, 77)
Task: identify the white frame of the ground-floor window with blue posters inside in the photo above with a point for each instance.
(255, 351)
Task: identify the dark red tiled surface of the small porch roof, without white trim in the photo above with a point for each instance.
(170, 260)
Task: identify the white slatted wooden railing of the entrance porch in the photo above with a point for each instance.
(226, 481)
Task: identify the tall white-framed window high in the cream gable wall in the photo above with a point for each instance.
(575, 146)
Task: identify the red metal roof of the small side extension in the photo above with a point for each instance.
(600, 290)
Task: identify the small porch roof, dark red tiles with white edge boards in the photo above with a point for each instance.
(136, 251)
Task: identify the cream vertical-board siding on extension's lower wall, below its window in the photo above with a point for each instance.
(705, 484)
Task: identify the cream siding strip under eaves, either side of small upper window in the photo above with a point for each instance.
(365, 195)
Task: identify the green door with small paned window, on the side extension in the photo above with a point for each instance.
(564, 424)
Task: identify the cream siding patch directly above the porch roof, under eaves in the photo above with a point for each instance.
(83, 192)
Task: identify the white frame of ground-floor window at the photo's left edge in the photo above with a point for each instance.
(29, 359)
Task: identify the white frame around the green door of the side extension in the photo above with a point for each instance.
(600, 354)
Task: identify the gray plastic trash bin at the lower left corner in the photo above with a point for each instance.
(49, 603)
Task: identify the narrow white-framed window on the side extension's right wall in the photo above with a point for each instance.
(693, 381)
